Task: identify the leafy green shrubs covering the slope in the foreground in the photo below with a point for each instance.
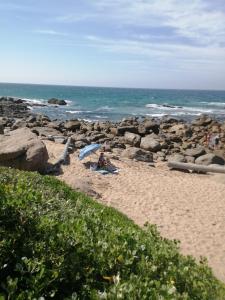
(58, 243)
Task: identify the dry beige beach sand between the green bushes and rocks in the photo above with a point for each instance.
(187, 207)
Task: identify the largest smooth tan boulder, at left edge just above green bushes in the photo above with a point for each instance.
(23, 150)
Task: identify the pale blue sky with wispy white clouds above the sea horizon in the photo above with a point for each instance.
(121, 43)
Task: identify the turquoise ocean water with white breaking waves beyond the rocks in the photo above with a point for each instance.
(96, 103)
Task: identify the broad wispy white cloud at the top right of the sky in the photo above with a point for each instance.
(191, 19)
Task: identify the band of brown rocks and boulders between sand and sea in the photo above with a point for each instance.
(142, 139)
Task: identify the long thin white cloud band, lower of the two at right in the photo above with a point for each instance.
(181, 55)
